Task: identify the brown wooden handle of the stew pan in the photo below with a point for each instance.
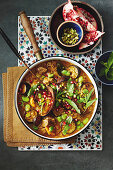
(29, 31)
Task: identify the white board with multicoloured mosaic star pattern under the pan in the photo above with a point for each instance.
(91, 137)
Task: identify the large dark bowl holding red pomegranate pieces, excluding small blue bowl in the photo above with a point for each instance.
(86, 16)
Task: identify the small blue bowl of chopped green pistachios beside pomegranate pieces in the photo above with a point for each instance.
(69, 33)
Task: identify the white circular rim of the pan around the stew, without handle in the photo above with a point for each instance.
(63, 59)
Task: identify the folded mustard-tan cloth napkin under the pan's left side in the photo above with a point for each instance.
(15, 133)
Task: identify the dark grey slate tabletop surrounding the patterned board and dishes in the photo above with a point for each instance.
(10, 158)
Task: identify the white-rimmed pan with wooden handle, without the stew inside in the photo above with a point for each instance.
(29, 31)
